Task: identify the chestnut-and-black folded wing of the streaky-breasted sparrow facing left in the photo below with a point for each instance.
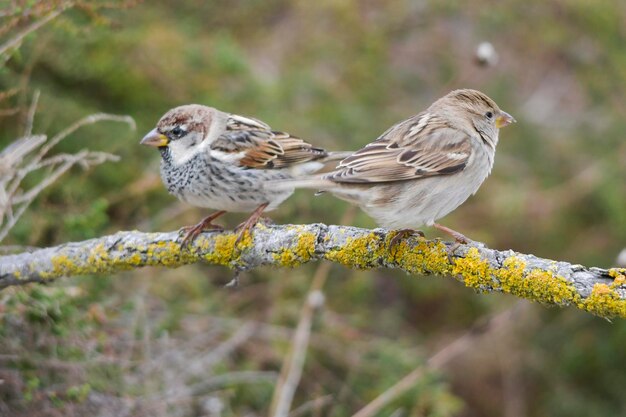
(253, 144)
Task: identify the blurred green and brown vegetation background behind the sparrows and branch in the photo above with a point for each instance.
(338, 72)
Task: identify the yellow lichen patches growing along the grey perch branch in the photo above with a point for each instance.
(368, 251)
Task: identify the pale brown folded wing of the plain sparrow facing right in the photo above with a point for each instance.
(422, 146)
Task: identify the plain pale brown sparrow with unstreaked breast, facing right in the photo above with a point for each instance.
(423, 168)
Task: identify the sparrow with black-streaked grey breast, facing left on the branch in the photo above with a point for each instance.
(221, 161)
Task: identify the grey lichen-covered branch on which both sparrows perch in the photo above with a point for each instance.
(599, 291)
